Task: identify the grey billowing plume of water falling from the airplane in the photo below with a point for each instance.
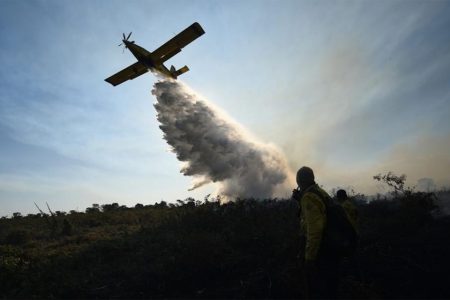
(213, 148)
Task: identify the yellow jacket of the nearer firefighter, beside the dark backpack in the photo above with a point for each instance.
(313, 219)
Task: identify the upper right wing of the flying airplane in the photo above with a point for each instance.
(174, 45)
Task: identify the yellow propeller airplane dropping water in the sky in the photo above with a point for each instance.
(153, 61)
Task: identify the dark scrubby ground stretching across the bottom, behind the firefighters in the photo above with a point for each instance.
(243, 249)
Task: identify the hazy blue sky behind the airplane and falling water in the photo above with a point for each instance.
(350, 88)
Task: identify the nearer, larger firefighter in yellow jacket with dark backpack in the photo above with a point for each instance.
(327, 233)
